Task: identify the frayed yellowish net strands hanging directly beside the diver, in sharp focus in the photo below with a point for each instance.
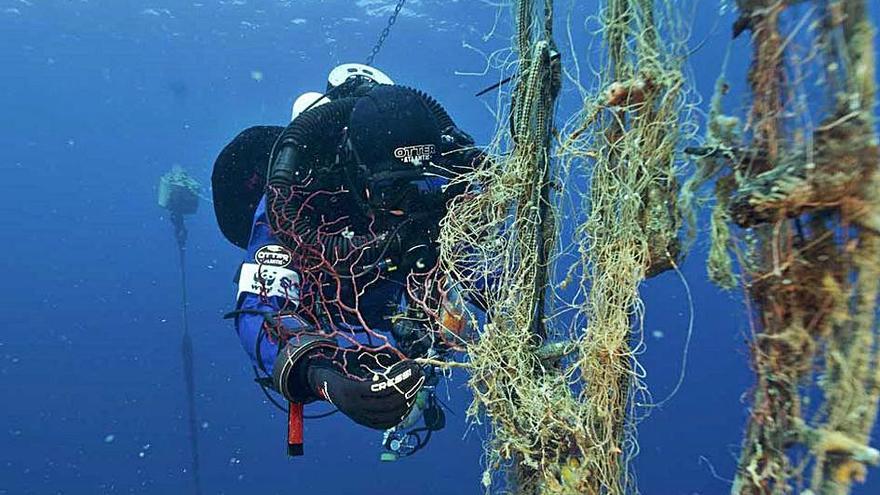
(560, 229)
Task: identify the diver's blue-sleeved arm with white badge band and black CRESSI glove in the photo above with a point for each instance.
(305, 365)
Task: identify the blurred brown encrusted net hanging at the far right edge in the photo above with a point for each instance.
(798, 202)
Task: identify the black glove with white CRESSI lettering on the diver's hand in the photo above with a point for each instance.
(375, 389)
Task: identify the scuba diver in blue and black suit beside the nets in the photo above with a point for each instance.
(339, 213)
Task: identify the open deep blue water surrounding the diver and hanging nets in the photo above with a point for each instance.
(99, 98)
